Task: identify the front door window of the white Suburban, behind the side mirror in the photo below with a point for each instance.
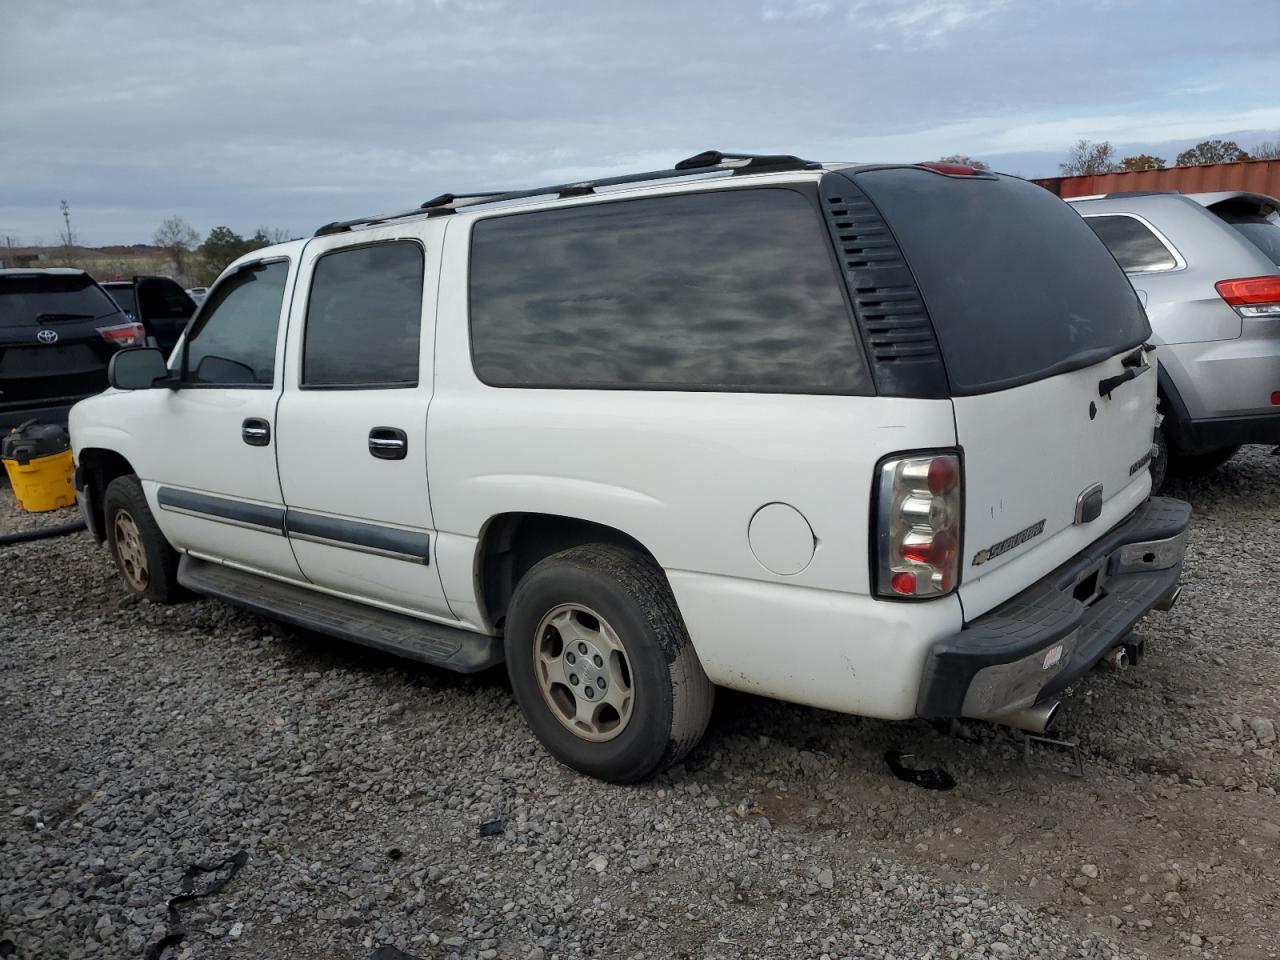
(234, 344)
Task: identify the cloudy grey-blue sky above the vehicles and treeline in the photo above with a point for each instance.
(294, 113)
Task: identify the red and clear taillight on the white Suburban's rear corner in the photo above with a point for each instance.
(918, 525)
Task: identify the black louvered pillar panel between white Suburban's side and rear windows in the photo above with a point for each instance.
(892, 316)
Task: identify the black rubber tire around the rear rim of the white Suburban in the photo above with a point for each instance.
(673, 697)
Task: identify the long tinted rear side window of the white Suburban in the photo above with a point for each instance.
(725, 291)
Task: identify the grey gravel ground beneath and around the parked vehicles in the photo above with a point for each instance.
(383, 803)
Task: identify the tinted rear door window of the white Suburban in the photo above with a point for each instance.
(365, 317)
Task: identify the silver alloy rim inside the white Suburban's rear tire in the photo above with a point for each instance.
(583, 673)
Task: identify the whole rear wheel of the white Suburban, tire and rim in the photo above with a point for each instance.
(602, 666)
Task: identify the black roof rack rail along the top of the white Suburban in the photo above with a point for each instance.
(705, 163)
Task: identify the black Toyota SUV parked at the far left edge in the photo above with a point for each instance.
(58, 332)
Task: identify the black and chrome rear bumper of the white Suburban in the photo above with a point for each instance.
(1032, 647)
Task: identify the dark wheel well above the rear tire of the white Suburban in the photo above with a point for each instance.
(513, 543)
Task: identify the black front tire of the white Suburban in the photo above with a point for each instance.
(159, 582)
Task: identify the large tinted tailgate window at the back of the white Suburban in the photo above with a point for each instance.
(1018, 287)
